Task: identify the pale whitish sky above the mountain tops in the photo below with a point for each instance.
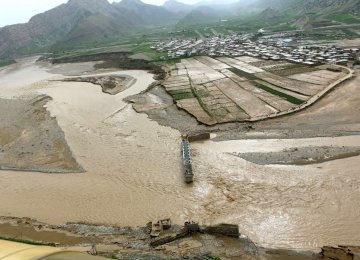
(20, 11)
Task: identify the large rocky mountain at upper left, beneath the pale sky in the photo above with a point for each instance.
(79, 21)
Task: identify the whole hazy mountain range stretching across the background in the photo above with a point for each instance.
(80, 22)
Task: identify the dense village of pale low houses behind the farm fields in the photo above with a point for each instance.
(276, 47)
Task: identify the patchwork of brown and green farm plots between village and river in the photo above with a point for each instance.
(221, 90)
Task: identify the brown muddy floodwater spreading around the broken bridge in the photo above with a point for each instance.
(133, 172)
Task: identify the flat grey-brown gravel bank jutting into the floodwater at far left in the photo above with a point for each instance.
(31, 140)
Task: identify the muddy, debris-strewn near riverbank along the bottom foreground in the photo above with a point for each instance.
(128, 243)
